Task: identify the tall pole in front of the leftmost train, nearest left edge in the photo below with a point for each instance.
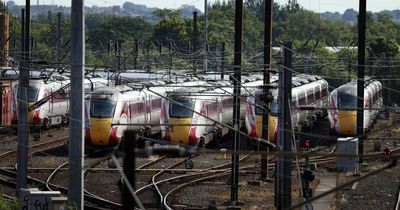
(23, 126)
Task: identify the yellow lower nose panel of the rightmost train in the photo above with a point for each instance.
(347, 122)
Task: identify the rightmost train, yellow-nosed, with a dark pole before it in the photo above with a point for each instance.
(343, 103)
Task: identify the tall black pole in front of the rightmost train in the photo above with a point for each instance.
(360, 76)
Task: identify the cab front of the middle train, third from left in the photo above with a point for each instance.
(180, 125)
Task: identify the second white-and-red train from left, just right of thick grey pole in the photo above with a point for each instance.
(109, 111)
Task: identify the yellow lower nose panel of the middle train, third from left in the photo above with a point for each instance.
(180, 132)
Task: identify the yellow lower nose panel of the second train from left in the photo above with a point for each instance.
(100, 131)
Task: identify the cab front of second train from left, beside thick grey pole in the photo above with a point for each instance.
(100, 108)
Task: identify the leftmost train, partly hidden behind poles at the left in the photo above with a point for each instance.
(48, 101)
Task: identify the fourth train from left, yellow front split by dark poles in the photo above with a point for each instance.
(307, 91)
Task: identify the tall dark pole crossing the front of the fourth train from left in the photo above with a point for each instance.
(267, 67)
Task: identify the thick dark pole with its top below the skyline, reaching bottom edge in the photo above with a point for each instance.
(283, 182)
